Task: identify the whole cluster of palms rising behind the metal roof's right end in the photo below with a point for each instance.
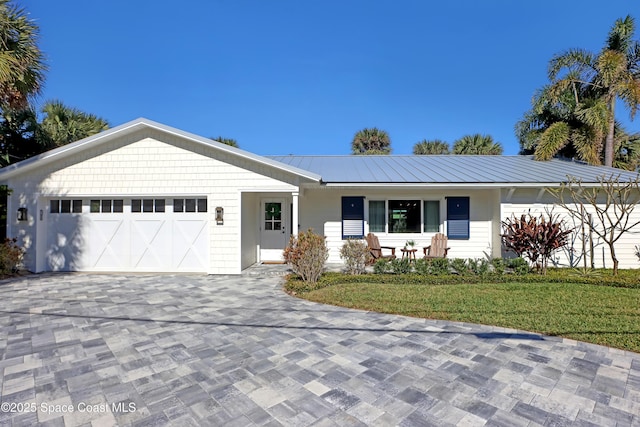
(574, 115)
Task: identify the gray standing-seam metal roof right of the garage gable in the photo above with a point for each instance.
(447, 169)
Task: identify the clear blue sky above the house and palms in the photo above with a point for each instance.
(302, 77)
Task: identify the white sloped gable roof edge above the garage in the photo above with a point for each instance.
(134, 126)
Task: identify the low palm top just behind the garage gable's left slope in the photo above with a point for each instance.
(62, 124)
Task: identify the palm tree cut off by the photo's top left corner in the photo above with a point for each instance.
(22, 64)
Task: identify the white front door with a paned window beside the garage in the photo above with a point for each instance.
(274, 235)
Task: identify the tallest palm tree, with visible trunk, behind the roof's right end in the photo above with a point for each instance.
(612, 74)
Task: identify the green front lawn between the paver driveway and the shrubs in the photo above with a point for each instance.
(606, 315)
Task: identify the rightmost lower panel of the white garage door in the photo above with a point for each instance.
(189, 245)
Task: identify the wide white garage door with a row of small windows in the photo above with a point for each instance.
(138, 234)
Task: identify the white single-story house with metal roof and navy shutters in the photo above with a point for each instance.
(150, 198)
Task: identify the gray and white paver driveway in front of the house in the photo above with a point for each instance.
(80, 349)
